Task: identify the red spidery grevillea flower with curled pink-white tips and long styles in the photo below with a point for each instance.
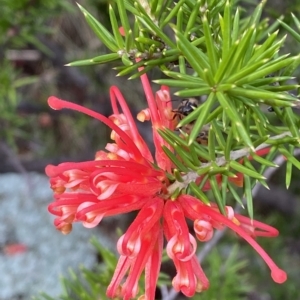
(127, 178)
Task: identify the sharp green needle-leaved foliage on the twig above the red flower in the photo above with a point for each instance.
(207, 49)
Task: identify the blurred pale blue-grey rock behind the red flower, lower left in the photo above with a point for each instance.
(24, 219)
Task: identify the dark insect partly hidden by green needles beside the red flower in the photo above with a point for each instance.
(186, 107)
